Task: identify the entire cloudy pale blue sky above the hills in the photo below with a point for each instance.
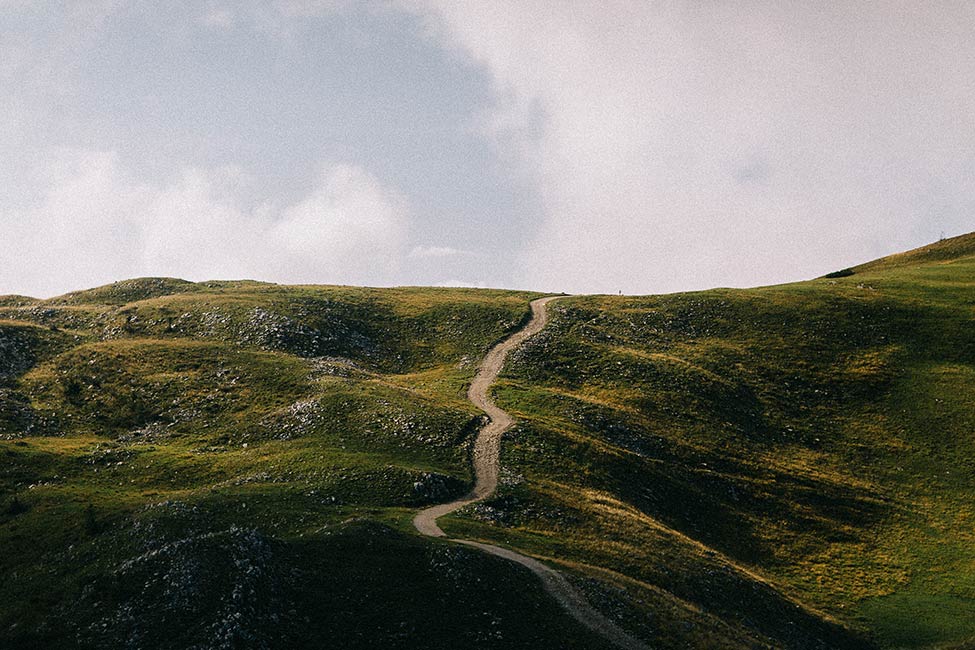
(577, 146)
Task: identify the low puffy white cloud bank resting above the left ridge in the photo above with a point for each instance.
(93, 224)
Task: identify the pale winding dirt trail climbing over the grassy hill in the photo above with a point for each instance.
(486, 451)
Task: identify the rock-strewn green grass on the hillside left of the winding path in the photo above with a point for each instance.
(156, 415)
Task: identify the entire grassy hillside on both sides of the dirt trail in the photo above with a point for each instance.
(235, 464)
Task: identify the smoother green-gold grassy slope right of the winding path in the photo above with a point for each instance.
(796, 460)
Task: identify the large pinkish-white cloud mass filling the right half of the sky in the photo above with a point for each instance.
(687, 145)
